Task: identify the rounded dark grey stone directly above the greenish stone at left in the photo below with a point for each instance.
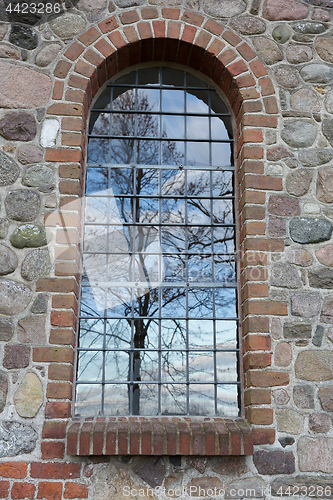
(22, 205)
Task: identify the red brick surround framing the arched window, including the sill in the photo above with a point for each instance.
(88, 63)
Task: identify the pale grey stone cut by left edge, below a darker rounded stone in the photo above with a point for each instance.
(14, 297)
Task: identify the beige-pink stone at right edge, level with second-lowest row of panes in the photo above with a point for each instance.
(314, 365)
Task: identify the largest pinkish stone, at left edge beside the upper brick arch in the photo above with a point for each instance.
(23, 94)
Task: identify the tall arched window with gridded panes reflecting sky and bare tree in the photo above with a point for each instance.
(158, 318)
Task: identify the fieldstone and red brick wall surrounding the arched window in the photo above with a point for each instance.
(274, 62)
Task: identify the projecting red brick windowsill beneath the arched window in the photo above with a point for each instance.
(159, 436)
